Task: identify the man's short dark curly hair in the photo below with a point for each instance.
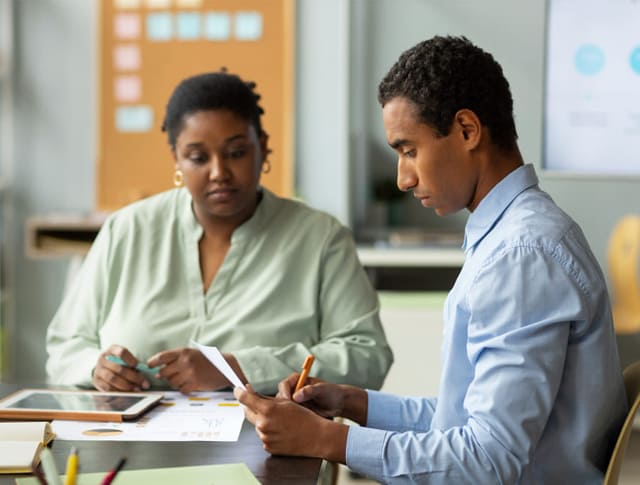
(443, 75)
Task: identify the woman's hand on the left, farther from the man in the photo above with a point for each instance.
(109, 376)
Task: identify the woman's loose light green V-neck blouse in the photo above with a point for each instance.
(291, 284)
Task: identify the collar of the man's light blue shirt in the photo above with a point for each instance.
(493, 205)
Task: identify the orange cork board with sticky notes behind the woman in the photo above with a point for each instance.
(147, 46)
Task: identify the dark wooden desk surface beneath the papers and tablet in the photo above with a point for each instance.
(100, 456)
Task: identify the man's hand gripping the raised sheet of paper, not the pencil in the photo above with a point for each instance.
(286, 428)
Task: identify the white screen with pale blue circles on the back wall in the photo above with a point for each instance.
(592, 87)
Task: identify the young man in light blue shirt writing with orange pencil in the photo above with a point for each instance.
(531, 386)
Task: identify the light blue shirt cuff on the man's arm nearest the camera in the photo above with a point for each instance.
(365, 450)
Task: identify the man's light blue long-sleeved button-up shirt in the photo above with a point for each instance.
(531, 389)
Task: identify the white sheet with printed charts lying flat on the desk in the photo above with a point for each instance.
(200, 416)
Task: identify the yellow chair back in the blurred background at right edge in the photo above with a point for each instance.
(623, 258)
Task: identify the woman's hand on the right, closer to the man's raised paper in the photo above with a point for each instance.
(188, 370)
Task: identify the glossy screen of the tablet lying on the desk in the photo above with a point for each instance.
(69, 401)
